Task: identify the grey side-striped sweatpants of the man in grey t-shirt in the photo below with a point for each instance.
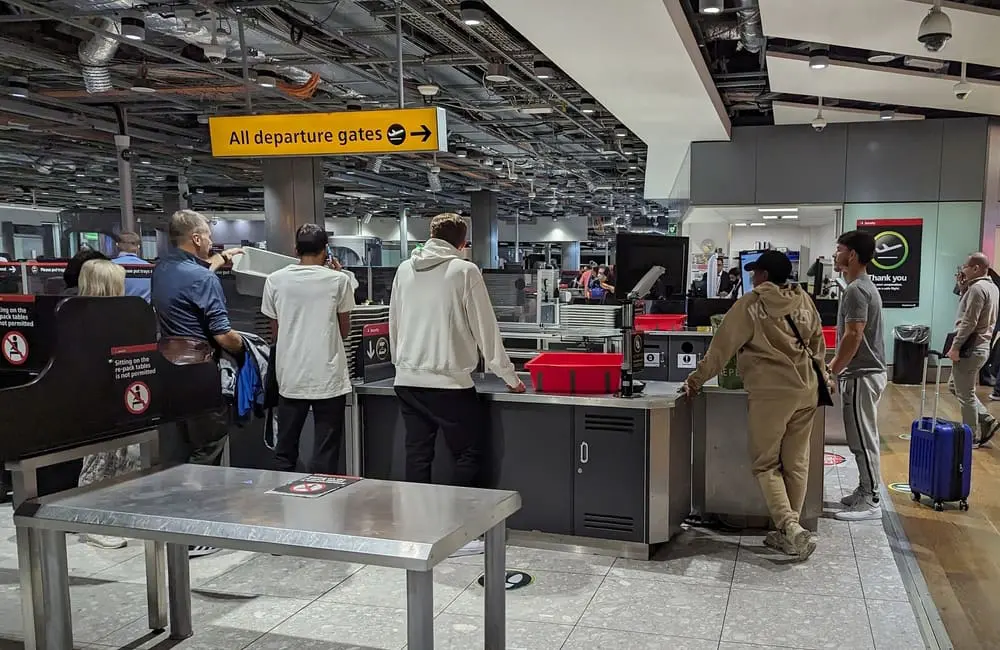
(860, 396)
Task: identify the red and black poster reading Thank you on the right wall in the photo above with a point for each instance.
(895, 267)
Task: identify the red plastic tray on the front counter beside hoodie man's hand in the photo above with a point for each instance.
(580, 373)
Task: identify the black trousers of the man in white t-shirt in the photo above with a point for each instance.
(328, 421)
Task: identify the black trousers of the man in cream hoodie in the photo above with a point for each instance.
(459, 415)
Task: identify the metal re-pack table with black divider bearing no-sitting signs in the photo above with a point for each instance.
(86, 375)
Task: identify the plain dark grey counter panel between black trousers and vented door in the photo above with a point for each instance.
(531, 451)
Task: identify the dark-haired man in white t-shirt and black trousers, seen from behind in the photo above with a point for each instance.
(310, 308)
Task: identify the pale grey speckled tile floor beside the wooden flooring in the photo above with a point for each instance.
(706, 591)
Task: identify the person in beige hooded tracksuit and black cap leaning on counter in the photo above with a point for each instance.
(779, 376)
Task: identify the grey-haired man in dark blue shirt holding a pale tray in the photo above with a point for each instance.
(190, 304)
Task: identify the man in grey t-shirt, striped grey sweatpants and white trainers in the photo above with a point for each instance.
(860, 364)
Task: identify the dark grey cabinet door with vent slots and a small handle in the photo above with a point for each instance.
(609, 493)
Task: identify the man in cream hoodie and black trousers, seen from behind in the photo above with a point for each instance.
(439, 315)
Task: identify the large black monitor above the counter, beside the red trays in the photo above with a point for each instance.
(635, 254)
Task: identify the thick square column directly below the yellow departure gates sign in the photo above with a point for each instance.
(293, 195)
